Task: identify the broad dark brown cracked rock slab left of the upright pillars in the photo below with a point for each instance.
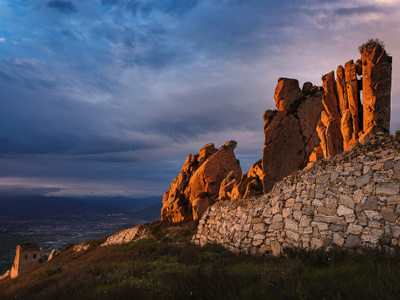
(290, 135)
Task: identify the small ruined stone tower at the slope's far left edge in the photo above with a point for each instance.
(27, 256)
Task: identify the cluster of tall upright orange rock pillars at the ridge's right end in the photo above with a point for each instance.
(345, 120)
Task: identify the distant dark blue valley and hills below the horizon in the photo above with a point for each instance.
(54, 222)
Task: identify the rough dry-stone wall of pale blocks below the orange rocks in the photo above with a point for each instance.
(351, 200)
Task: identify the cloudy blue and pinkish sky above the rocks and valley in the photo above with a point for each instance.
(108, 97)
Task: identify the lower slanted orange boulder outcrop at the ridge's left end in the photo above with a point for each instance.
(199, 183)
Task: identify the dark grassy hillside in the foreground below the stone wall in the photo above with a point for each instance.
(156, 268)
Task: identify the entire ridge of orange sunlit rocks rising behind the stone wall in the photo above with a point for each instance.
(309, 124)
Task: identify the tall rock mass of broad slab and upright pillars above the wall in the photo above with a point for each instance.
(334, 114)
